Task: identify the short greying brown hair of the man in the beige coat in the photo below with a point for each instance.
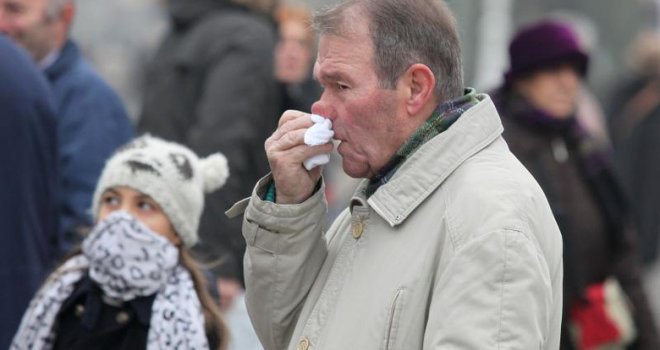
(404, 33)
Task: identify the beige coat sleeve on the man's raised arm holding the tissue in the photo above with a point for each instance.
(285, 251)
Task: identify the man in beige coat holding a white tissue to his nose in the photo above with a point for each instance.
(448, 242)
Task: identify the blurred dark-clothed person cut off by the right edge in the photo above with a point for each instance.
(634, 120)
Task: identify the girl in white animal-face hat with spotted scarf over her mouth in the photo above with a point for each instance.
(133, 284)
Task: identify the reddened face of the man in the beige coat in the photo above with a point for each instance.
(365, 116)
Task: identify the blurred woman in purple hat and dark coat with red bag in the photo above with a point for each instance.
(538, 102)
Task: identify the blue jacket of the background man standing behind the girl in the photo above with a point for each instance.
(92, 124)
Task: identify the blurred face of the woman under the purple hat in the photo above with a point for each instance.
(554, 91)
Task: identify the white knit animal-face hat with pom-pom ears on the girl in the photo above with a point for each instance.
(169, 173)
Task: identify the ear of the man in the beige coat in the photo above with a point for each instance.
(420, 87)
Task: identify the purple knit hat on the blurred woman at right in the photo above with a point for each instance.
(542, 45)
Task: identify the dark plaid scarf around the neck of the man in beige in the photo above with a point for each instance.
(442, 118)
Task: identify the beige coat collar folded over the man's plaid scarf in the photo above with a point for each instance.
(430, 165)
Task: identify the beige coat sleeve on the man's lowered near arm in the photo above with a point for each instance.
(496, 293)
